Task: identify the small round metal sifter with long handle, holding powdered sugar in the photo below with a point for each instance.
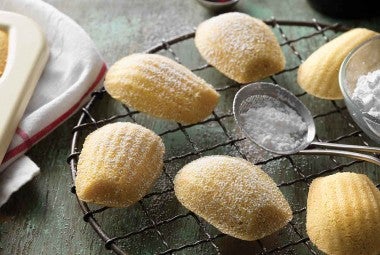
(254, 95)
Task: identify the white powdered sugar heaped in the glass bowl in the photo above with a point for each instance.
(367, 93)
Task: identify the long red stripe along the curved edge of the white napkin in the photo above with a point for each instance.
(43, 132)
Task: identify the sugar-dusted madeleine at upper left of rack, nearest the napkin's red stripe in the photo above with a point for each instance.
(161, 87)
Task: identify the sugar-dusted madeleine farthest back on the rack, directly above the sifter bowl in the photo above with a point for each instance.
(240, 46)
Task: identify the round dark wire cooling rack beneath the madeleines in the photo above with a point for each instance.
(158, 224)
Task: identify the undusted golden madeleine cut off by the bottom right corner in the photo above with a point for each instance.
(343, 214)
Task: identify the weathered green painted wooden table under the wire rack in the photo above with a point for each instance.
(44, 217)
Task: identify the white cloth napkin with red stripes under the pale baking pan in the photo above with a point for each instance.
(73, 71)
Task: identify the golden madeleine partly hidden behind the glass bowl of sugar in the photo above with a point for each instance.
(318, 75)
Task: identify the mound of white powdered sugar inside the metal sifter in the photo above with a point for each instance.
(275, 127)
